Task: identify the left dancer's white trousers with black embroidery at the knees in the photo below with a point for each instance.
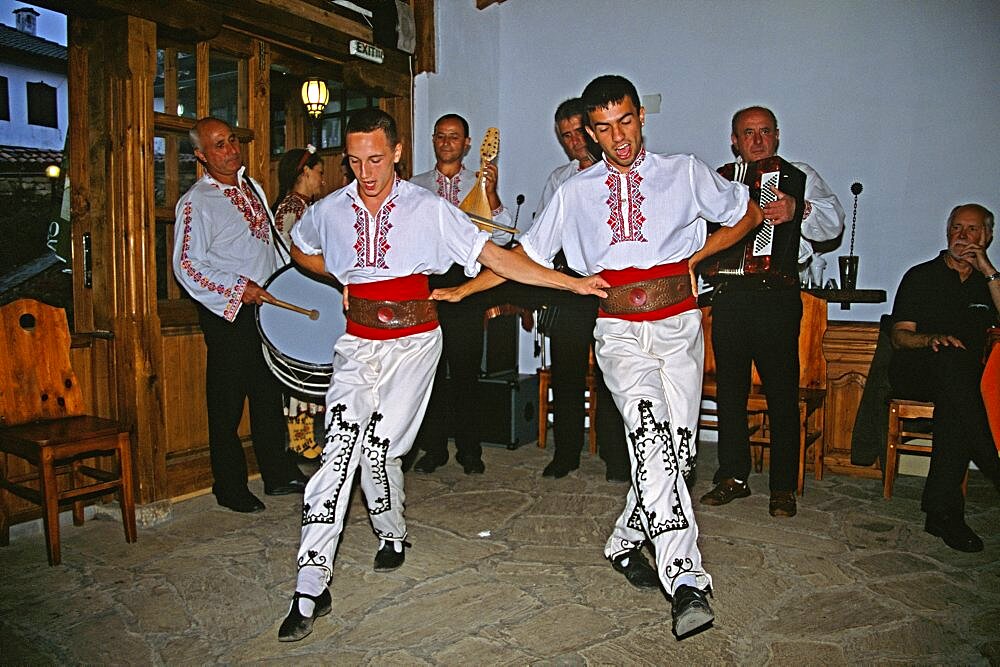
(375, 404)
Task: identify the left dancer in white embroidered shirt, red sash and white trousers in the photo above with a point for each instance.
(381, 236)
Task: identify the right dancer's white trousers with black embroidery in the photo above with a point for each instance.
(654, 371)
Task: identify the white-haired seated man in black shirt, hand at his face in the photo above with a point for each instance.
(942, 311)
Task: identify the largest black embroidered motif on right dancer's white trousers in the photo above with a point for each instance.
(650, 434)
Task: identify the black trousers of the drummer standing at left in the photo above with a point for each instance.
(235, 371)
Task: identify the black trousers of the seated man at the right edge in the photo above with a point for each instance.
(950, 378)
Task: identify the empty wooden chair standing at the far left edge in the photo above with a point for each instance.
(42, 422)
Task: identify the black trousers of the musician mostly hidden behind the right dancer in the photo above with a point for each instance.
(571, 338)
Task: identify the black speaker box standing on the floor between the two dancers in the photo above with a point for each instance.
(509, 413)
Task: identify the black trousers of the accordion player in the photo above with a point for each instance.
(759, 326)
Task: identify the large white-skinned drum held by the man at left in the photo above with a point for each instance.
(299, 350)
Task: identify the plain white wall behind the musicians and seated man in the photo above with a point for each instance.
(900, 95)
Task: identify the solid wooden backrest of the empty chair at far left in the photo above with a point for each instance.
(36, 378)
